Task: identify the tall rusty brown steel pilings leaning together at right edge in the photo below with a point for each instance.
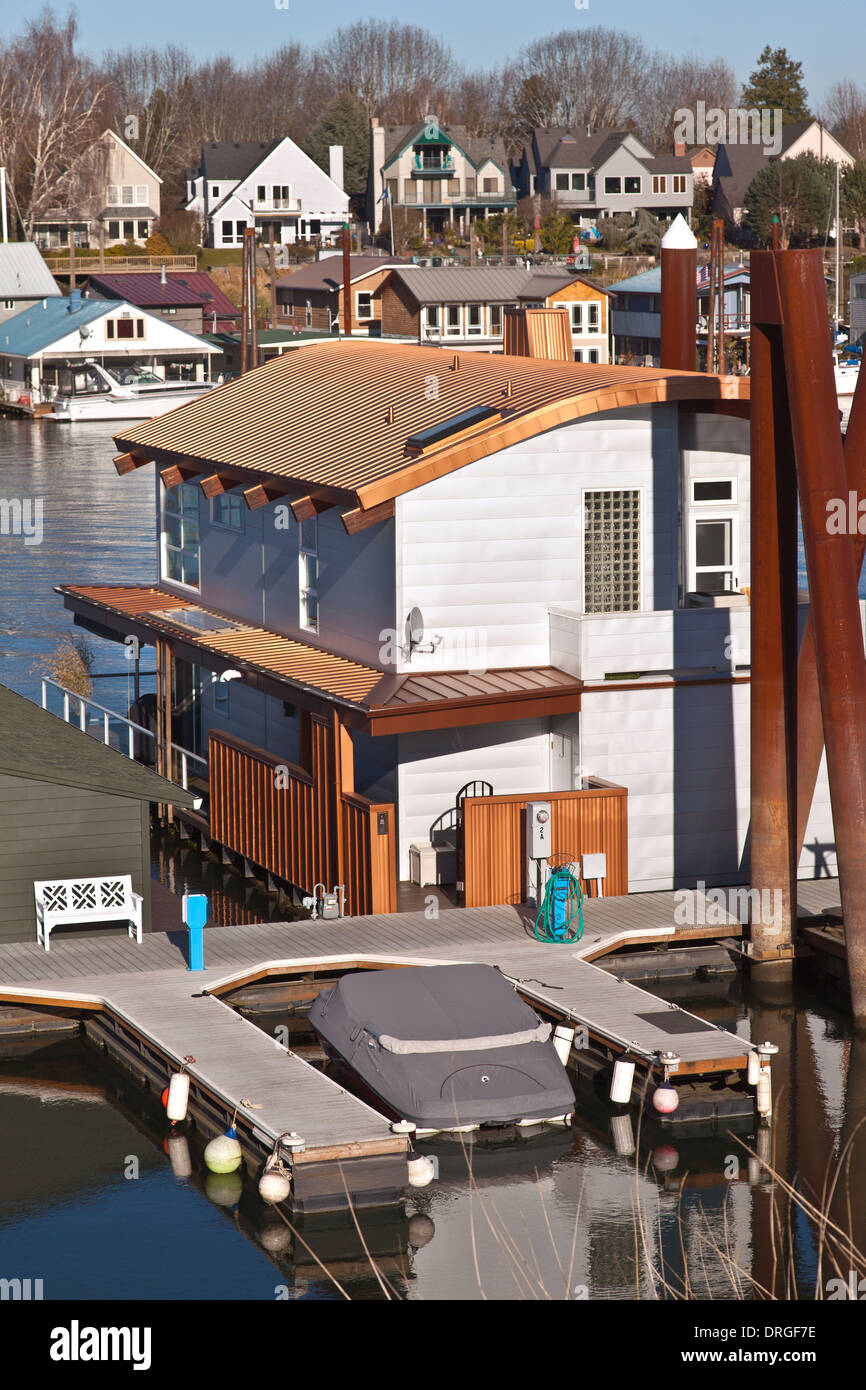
(794, 402)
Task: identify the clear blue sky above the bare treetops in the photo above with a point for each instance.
(489, 30)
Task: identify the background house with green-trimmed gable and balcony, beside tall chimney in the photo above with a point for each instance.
(441, 173)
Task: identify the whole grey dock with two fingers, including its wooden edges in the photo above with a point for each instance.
(145, 1008)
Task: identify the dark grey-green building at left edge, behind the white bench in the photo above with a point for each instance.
(70, 808)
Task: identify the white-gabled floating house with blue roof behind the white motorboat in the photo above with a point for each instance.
(59, 333)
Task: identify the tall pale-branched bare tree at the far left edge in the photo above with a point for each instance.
(52, 105)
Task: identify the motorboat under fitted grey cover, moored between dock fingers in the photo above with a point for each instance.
(446, 1046)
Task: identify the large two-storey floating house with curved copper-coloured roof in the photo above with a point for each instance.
(402, 593)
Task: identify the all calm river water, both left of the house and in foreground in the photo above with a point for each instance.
(546, 1218)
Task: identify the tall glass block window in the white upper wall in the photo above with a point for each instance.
(612, 553)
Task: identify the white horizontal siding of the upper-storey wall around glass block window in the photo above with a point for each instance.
(486, 551)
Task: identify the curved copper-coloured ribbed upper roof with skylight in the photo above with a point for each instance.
(338, 415)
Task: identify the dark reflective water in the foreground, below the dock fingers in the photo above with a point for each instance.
(541, 1217)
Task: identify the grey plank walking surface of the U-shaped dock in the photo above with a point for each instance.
(151, 989)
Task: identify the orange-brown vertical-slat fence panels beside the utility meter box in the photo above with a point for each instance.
(582, 824)
